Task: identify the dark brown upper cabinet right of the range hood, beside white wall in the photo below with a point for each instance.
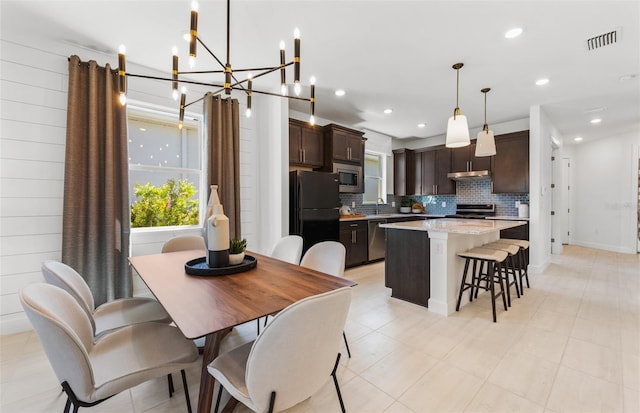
(511, 163)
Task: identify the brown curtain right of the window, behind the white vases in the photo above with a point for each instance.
(222, 126)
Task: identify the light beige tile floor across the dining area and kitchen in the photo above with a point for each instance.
(570, 344)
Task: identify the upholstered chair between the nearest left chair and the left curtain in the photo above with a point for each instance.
(110, 315)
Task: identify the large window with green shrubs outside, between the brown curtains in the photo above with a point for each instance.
(165, 169)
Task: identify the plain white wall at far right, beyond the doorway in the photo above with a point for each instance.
(604, 195)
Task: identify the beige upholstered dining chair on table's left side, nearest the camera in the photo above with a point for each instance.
(91, 371)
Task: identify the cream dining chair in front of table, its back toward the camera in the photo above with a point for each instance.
(276, 371)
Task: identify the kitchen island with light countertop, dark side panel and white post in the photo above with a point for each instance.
(422, 265)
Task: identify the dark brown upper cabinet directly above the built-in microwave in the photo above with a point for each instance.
(343, 144)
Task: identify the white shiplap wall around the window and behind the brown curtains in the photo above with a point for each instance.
(33, 99)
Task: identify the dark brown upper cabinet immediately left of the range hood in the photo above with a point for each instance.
(436, 164)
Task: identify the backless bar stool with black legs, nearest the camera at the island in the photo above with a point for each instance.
(494, 260)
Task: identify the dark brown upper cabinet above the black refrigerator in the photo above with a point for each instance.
(306, 146)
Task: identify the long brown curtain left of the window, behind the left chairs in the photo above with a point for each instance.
(95, 226)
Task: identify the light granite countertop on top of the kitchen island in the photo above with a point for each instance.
(455, 225)
